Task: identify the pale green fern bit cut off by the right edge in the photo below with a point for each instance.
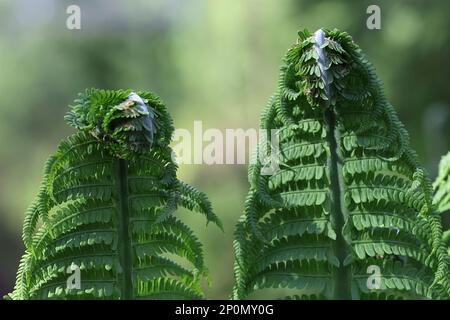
(442, 196)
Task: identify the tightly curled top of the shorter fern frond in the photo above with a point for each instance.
(124, 120)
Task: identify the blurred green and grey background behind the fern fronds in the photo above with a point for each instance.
(215, 61)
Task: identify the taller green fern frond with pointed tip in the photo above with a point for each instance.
(349, 197)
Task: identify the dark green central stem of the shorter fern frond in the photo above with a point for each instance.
(124, 244)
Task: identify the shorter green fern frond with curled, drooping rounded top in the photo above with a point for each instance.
(106, 206)
